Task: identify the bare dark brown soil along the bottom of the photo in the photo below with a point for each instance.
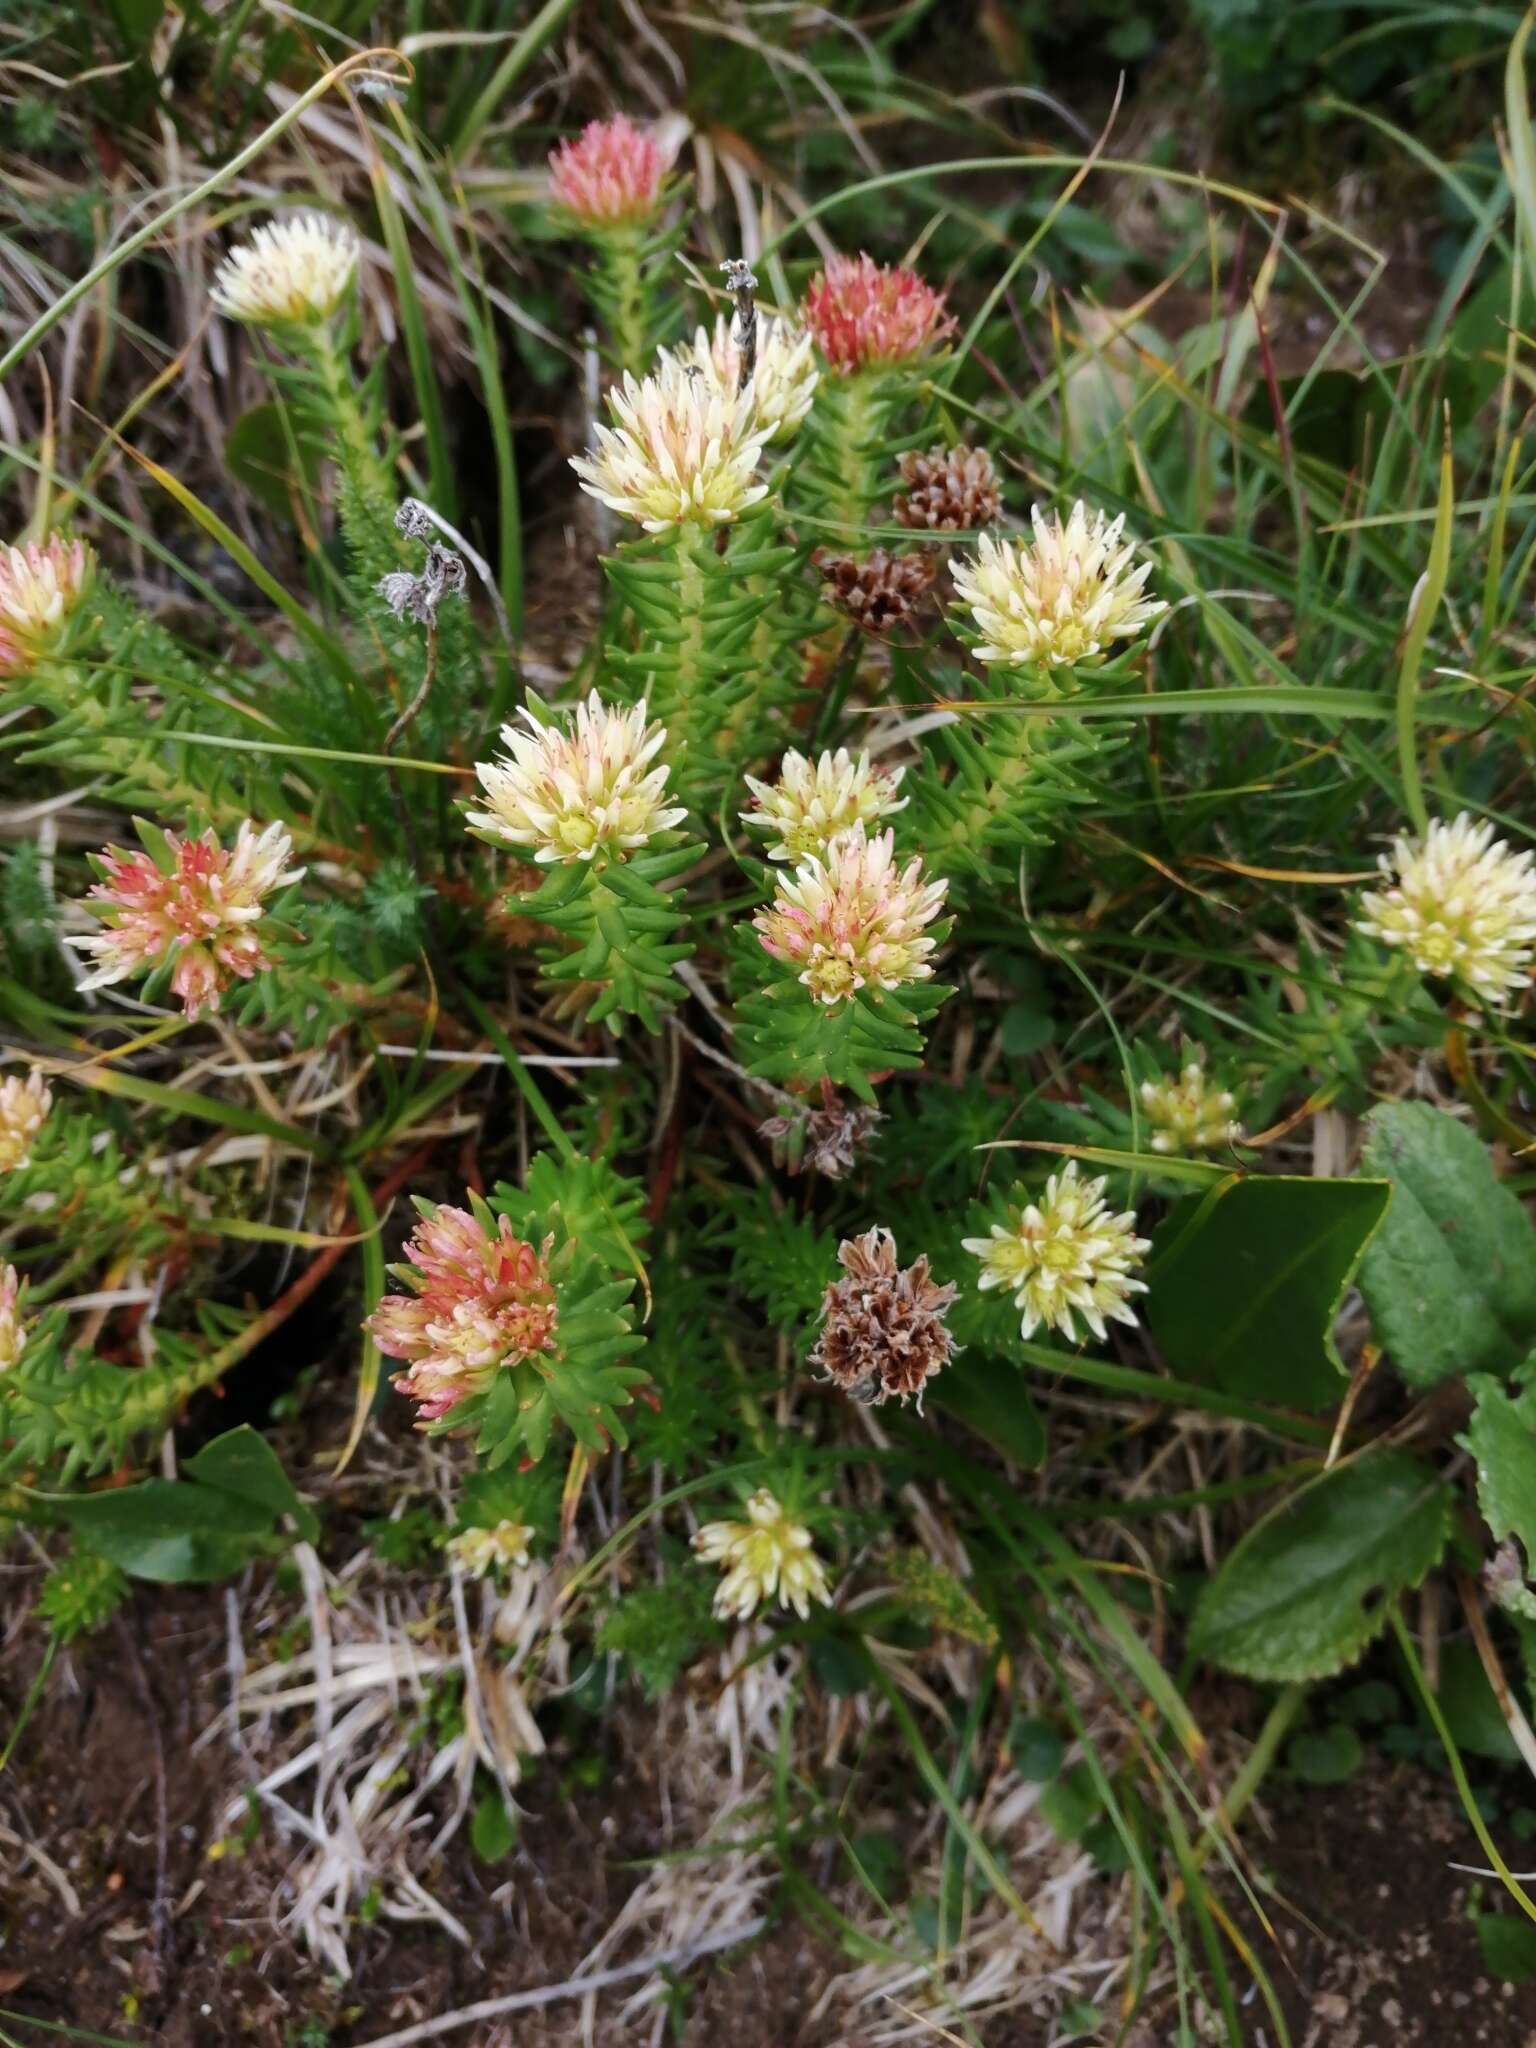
(177, 1949)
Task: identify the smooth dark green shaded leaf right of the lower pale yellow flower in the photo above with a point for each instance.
(1246, 1285)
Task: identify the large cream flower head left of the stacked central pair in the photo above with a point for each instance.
(579, 790)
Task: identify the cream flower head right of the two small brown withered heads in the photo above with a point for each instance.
(1060, 599)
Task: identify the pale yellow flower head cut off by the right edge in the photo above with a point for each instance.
(1461, 904)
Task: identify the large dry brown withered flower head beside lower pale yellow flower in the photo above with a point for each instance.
(884, 1332)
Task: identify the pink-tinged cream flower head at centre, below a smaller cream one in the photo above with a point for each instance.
(853, 919)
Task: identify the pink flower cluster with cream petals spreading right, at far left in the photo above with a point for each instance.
(200, 914)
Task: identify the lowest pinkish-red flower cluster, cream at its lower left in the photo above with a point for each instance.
(478, 1302)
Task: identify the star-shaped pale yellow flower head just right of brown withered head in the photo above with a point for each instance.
(1066, 1256)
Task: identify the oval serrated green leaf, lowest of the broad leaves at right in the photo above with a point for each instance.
(1312, 1584)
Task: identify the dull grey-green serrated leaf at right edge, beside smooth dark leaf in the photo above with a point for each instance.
(1451, 1279)
